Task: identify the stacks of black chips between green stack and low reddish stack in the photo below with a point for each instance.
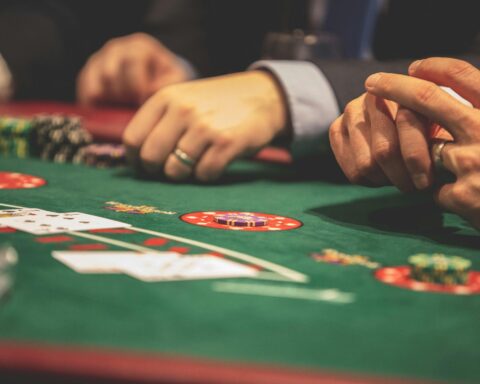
(58, 137)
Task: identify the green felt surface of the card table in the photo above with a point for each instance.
(386, 330)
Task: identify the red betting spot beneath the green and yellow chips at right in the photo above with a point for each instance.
(400, 277)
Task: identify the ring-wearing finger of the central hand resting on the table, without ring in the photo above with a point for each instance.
(194, 143)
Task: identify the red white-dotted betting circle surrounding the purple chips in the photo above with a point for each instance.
(274, 222)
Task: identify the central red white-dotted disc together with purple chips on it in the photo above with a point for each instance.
(242, 221)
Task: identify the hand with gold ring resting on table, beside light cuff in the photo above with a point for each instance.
(212, 121)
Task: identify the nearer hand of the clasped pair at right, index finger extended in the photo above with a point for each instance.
(420, 92)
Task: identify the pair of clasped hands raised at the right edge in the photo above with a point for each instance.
(382, 138)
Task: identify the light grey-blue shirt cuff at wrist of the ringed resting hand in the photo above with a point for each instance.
(311, 101)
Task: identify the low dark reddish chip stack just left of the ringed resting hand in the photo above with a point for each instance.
(101, 155)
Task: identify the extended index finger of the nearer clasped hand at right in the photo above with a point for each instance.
(428, 99)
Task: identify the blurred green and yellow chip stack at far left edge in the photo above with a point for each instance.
(16, 137)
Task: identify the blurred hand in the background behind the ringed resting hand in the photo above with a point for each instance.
(128, 70)
